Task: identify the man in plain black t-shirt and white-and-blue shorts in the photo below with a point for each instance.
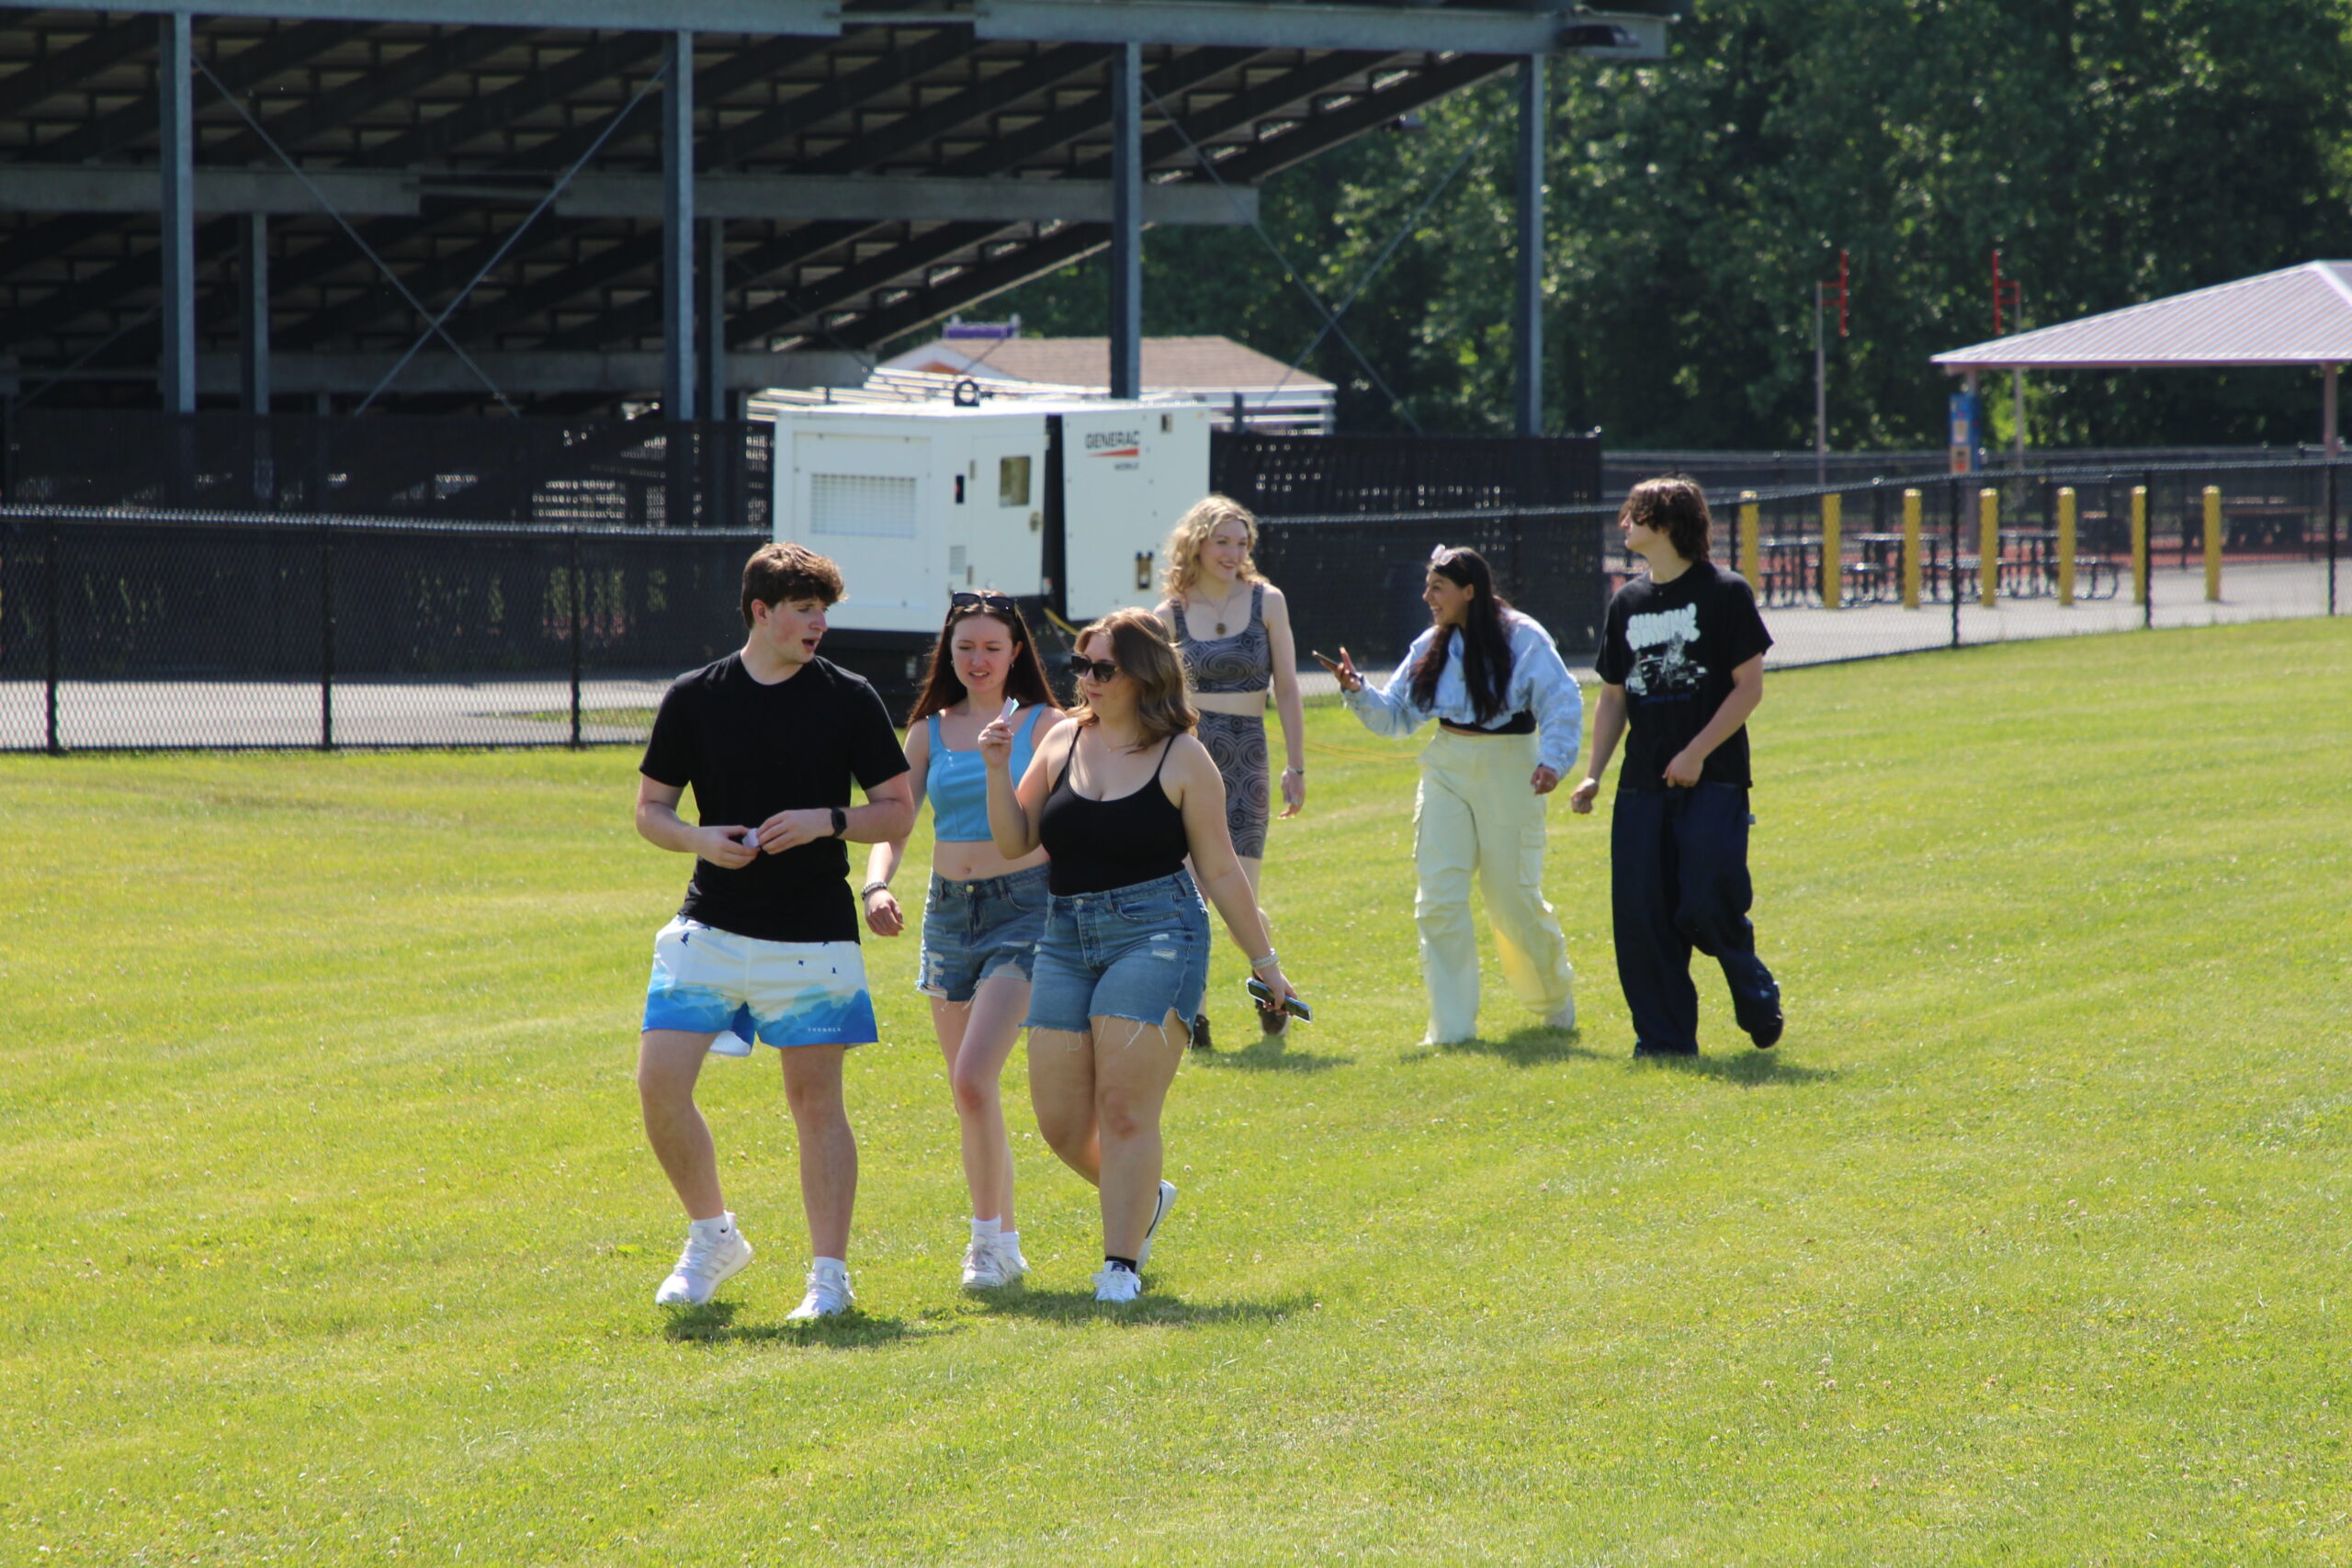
(768, 939)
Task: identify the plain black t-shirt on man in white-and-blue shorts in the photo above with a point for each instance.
(754, 751)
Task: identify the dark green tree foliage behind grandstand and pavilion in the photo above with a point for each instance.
(2113, 149)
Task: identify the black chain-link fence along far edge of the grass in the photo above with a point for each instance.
(135, 631)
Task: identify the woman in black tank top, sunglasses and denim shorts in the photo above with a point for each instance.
(1121, 798)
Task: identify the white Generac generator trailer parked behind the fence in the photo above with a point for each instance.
(1060, 504)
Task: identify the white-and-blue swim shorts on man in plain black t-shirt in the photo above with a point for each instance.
(711, 981)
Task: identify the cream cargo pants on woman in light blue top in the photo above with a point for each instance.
(1476, 812)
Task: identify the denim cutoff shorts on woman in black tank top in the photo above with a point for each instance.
(1130, 953)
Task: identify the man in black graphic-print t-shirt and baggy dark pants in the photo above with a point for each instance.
(1683, 666)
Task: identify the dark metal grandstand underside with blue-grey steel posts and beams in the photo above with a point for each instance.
(436, 206)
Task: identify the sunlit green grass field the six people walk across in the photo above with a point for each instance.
(330, 1235)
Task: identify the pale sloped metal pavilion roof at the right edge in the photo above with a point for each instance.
(2294, 316)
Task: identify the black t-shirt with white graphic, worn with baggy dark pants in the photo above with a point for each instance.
(1673, 648)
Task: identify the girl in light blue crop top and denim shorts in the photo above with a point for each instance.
(984, 916)
